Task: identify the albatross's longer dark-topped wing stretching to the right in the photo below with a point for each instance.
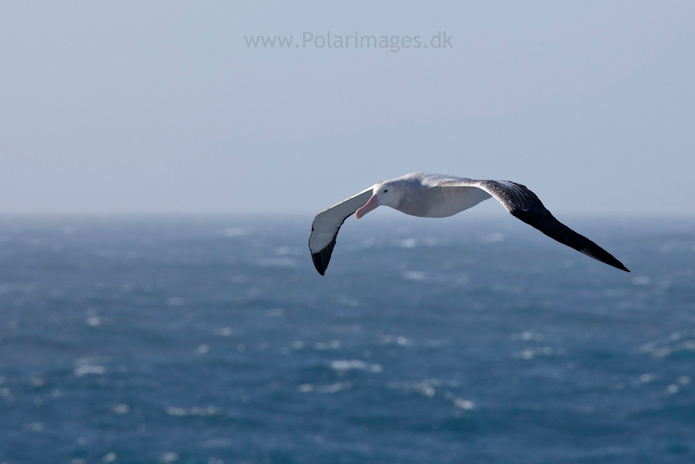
(525, 205)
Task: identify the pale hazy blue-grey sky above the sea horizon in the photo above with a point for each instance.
(137, 107)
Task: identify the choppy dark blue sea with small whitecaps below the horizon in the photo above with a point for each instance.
(211, 340)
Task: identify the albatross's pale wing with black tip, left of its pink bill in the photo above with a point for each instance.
(326, 225)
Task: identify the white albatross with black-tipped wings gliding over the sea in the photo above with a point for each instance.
(435, 195)
